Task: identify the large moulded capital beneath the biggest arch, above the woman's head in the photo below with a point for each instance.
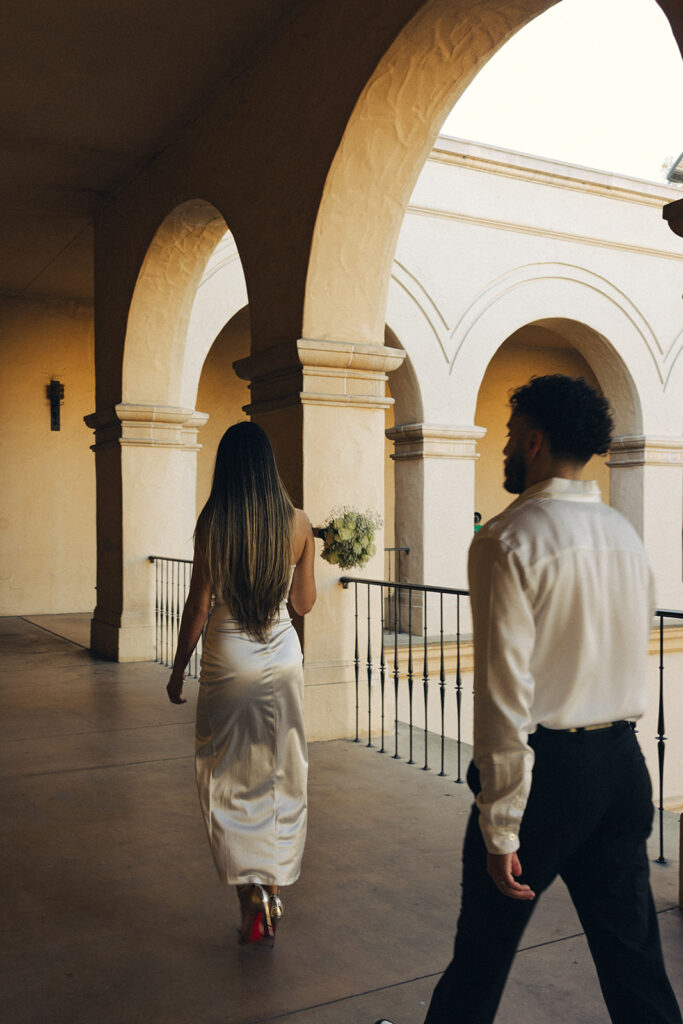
(319, 372)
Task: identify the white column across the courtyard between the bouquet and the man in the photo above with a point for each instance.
(435, 486)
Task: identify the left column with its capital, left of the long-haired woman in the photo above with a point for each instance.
(147, 472)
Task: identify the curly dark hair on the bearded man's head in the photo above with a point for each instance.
(575, 418)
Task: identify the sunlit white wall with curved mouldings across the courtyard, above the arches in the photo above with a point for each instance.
(495, 240)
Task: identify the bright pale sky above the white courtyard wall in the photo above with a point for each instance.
(591, 82)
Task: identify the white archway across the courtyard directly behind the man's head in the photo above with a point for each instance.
(636, 379)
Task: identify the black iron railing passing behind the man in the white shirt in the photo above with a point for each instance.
(391, 655)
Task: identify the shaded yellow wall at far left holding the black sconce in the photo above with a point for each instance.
(48, 499)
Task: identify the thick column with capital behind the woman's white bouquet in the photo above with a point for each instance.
(323, 405)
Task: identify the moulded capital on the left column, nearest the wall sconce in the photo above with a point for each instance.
(161, 426)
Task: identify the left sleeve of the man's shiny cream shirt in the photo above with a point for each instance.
(504, 638)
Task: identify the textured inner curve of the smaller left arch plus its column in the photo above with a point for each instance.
(146, 459)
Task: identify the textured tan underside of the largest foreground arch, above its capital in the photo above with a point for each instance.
(385, 148)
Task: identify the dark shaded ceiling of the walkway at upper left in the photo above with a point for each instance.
(90, 94)
